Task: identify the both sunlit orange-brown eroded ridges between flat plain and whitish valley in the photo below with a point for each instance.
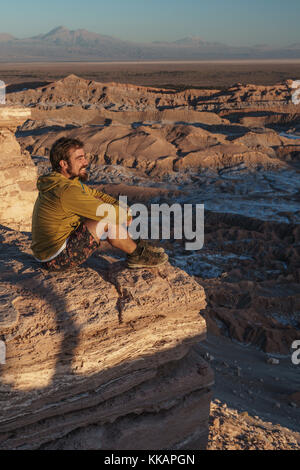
(161, 132)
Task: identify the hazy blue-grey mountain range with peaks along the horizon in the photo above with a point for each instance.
(64, 44)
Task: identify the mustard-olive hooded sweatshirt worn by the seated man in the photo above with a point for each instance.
(61, 206)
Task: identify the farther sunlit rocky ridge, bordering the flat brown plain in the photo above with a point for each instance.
(74, 91)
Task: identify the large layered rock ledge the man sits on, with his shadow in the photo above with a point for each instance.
(100, 357)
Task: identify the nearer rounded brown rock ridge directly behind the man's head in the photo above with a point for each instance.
(162, 149)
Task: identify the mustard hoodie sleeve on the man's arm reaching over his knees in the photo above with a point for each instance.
(75, 200)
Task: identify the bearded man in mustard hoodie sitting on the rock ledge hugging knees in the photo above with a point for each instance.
(69, 218)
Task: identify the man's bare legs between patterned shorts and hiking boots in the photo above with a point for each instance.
(124, 242)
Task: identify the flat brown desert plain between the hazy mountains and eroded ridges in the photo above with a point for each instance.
(177, 75)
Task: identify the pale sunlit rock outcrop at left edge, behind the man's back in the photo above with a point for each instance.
(17, 172)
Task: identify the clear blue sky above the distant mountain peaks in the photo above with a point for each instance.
(234, 22)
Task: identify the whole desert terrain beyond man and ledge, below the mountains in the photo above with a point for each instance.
(224, 134)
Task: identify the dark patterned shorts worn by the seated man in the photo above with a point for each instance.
(80, 245)
